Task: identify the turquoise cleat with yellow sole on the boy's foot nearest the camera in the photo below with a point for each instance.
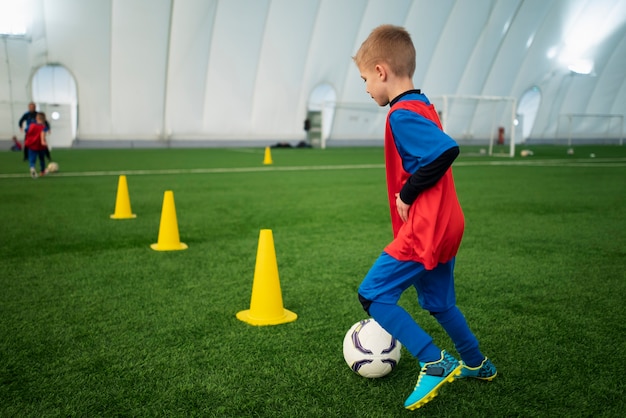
(432, 376)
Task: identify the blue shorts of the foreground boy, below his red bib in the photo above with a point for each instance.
(389, 278)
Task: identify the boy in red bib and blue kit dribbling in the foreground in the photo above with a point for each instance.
(426, 217)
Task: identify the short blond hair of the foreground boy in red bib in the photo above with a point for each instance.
(391, 45)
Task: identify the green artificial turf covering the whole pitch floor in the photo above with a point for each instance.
(96, 323)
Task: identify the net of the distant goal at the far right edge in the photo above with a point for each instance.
(588, 129)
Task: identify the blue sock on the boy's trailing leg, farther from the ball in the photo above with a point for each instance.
(454, 323)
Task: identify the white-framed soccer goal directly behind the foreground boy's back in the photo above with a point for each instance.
(479, 120)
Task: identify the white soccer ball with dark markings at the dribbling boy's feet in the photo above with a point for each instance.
(369, 350)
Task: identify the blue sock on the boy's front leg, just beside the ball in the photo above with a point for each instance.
(396, 321)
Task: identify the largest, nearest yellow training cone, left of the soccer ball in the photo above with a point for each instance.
(266, 305)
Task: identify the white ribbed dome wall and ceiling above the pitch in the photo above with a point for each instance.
(245, 69)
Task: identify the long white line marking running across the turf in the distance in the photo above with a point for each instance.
(597, 162)
